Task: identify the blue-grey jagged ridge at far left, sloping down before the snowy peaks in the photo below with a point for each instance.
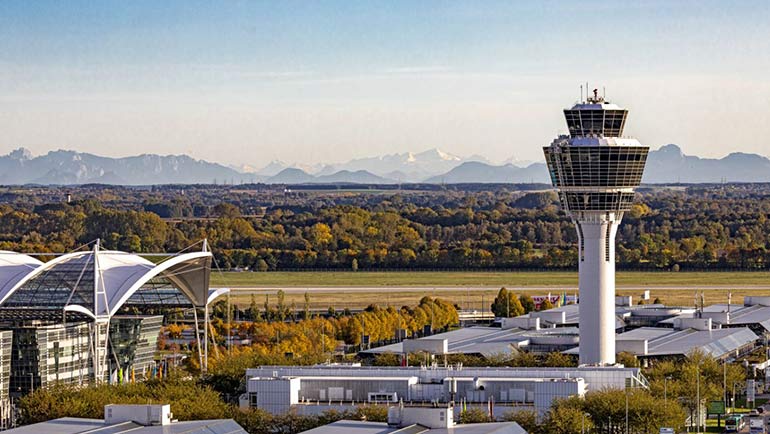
(70, 167)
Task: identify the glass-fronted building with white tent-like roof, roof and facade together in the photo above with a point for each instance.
(90, 316)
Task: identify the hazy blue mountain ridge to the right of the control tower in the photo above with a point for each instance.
(669, 165)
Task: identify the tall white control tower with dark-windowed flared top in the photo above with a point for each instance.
(595, 171)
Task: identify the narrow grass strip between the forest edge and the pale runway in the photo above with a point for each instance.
(477, 279)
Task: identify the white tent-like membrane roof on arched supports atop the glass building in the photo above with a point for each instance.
(97, 283)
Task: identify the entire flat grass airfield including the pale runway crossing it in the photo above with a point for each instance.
(406, 288)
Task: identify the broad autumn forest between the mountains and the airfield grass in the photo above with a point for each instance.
(257, 228)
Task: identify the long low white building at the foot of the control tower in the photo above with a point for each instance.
(314, 389)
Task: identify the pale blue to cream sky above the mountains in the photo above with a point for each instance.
(247, 82)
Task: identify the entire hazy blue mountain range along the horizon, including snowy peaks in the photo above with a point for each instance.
(665, 165)
